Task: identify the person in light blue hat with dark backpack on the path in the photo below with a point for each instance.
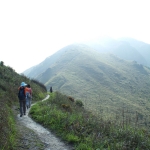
(22, 98)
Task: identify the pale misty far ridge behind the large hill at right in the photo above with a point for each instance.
(125, 48)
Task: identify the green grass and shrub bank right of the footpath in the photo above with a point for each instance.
(86, 131)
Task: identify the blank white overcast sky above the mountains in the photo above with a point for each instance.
(32, 30)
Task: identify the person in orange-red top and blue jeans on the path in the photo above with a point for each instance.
(28, 93)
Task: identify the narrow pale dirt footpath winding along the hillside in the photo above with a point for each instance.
(36, 137)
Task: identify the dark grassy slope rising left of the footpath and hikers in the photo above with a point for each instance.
(9, 83)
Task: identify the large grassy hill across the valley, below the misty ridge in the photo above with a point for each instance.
(104, 82)
